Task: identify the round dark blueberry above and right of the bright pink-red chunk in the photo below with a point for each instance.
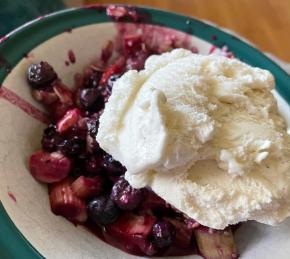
(91, 99)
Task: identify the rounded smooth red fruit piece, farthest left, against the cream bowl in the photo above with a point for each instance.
(49, 167)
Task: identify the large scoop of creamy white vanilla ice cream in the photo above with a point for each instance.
(205, 134)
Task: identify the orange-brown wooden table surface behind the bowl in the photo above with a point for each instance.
(266, 23)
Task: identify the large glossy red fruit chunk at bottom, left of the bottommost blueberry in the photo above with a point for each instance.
(133, 231)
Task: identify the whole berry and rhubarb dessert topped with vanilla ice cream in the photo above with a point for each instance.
(162, 158)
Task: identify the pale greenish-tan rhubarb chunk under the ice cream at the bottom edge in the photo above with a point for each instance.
(216, 244)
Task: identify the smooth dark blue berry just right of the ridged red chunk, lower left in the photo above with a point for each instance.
(103, 211)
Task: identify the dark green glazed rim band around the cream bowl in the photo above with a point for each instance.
(12, 243)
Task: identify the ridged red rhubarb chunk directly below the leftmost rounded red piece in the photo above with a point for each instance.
(63, 202)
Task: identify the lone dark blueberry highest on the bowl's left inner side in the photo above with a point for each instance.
(40, 75)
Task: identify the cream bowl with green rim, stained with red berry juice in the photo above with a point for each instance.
(28, 228)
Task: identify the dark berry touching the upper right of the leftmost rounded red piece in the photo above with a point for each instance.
(72, 147)
